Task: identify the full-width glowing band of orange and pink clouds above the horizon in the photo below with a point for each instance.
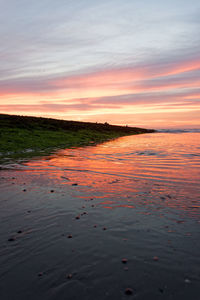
(141, 90)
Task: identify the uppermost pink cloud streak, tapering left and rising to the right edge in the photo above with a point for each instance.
(117, 78)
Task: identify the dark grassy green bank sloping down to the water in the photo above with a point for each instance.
(22, 137)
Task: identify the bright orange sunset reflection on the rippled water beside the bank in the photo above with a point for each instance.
(151, 170)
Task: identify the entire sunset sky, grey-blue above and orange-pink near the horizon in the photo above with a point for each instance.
(127, 62)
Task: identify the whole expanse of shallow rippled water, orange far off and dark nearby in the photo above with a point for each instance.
(136, 197)
